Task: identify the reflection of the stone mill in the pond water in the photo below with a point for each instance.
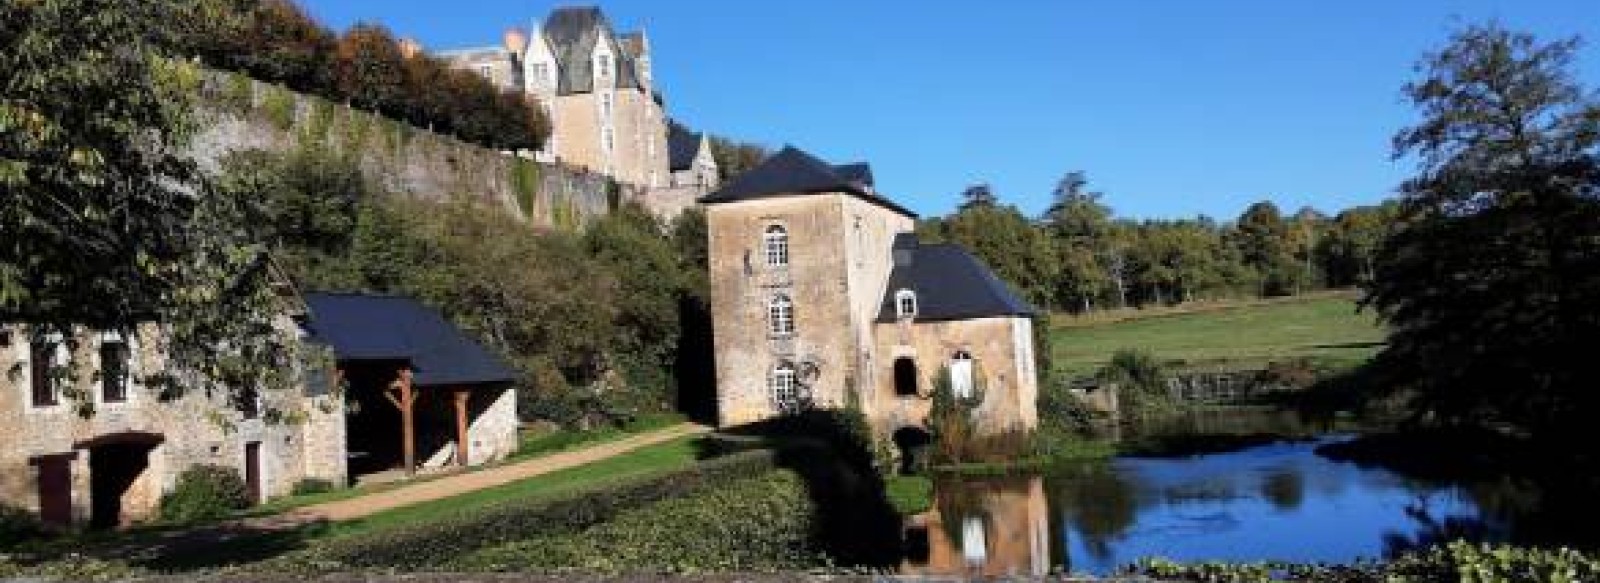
(982, 529)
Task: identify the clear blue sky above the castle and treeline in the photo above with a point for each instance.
(1172, 108)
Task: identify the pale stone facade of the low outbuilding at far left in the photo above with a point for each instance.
(121, 459)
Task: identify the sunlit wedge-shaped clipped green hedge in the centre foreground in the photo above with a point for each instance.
(756, 525)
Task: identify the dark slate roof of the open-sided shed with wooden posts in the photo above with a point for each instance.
(369, 328)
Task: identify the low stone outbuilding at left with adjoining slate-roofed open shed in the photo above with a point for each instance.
(111, 467)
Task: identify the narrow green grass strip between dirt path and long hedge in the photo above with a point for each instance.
(644, 462)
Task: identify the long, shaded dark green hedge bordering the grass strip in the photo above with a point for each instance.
(439, 542)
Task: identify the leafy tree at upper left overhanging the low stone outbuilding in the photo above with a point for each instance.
(105, 223)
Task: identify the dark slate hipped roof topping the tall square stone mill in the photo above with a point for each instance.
(794, 172)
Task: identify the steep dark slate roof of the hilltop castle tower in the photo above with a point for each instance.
(574, 34)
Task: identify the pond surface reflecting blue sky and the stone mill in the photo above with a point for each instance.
(1278, 502)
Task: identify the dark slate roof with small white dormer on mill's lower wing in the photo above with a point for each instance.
(951, 284)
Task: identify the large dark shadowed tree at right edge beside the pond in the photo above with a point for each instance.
(1492, 275)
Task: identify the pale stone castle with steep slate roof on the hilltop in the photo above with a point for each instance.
(596, 87)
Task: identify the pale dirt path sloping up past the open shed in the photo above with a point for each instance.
(473, 481)
